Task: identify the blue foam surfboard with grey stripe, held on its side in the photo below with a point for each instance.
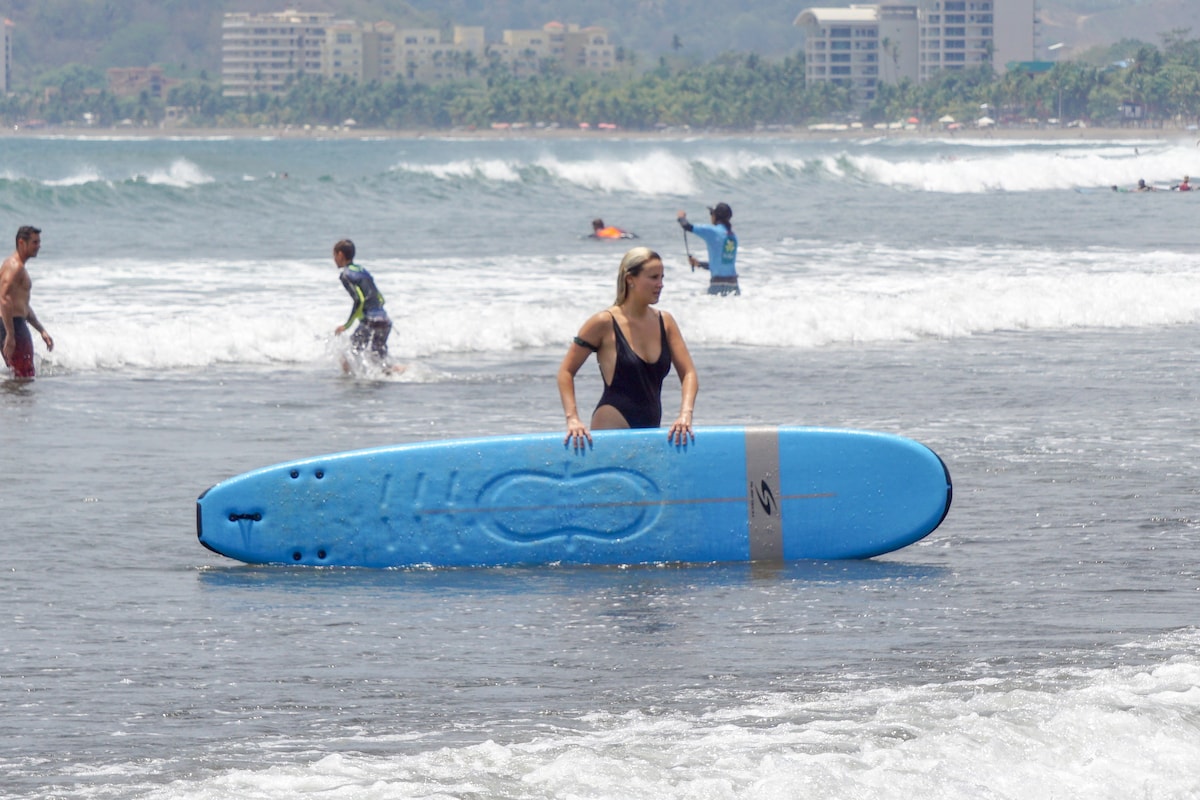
(734, 495)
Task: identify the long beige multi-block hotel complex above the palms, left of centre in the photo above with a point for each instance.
(263, 53)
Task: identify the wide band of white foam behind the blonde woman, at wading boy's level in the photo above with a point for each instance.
(200, 314)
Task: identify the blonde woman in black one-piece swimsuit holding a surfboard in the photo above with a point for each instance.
(635, 347)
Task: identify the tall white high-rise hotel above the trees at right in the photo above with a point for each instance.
(865, 46)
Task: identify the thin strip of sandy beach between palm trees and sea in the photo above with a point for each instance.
(667, 135)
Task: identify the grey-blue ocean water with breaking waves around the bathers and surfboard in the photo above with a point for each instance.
(991, 298)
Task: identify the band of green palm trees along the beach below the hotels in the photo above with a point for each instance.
(735, 92)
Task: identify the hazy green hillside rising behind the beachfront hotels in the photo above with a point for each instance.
(184, 37)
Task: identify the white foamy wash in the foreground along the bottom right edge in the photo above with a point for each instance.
(1099, 735)
